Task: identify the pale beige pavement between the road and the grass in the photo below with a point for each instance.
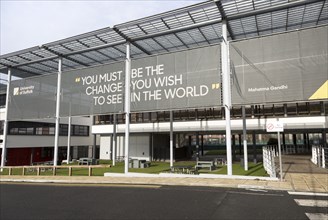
(299, 175)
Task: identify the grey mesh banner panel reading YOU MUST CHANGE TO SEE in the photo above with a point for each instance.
(95, 90)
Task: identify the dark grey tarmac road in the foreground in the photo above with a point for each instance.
(64, 201)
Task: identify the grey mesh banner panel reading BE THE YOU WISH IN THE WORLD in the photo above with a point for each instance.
(187, 79)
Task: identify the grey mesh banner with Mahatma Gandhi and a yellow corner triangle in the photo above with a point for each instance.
(280, 68)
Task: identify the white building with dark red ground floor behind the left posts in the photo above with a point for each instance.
(32, 141)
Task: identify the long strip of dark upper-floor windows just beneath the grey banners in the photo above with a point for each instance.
(253, 111)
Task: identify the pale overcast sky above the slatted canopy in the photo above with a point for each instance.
(25, 24)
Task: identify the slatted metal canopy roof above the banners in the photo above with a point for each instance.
(188, 27)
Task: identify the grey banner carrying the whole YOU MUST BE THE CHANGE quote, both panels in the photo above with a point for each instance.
(187, 79)
